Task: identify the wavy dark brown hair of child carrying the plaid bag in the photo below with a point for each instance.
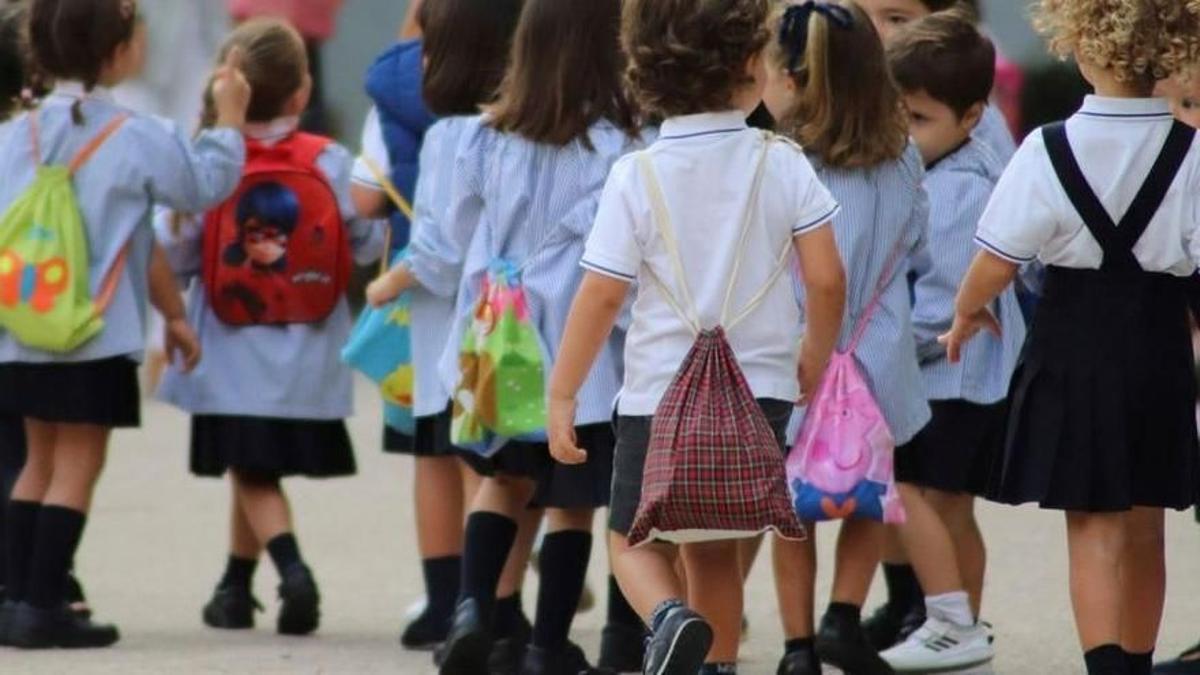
(689, 56)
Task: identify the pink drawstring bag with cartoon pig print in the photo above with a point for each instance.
(842, 465)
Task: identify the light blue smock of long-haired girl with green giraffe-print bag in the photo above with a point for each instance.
(533, 205)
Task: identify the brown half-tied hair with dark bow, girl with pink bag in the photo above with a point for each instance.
(848, 110)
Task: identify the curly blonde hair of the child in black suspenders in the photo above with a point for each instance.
(1138, 40)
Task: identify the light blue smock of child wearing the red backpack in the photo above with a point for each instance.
(291, 372)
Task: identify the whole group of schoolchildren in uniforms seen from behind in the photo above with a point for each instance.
(599, 151)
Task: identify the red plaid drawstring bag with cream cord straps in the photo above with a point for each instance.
(715, 469)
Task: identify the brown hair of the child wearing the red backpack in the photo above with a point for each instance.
(274, 62)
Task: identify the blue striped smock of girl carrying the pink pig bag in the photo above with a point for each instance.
(883, 210)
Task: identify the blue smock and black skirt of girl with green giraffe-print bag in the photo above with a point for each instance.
(533, 205)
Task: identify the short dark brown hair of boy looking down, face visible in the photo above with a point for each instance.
(946, 57)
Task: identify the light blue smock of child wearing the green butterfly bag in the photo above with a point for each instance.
(147, 162)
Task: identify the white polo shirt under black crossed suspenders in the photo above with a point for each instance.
(1117, 142)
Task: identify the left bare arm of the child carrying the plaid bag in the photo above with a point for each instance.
(593, 315)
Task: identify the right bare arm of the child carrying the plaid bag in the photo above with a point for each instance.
(825, 286)
